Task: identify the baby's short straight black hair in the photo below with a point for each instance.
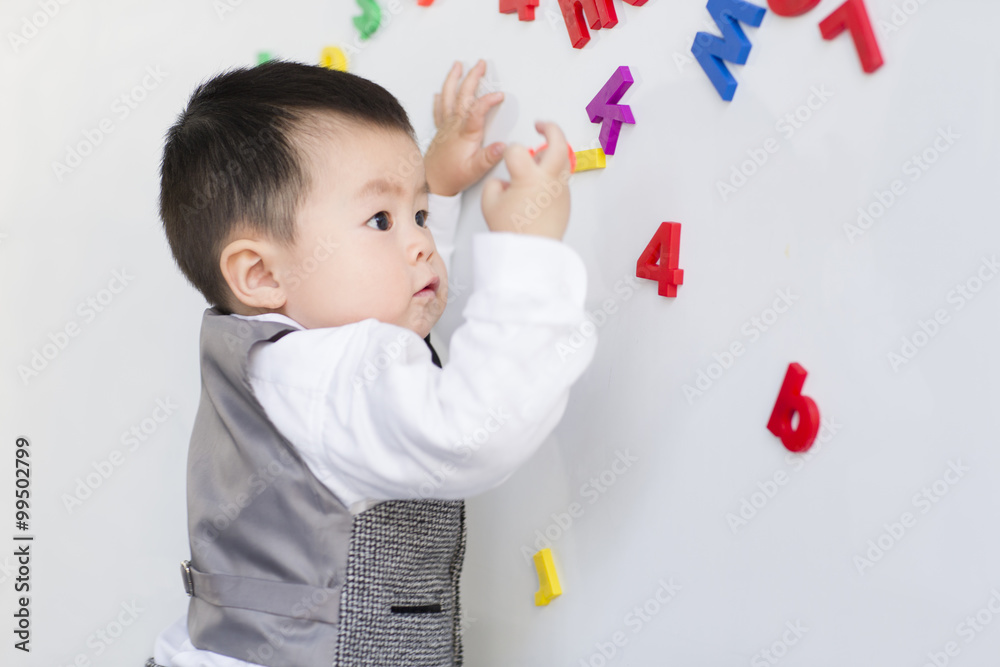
(236, 159)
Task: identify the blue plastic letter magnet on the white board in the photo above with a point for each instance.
(710, 50)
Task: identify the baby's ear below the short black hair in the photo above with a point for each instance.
(248, 267)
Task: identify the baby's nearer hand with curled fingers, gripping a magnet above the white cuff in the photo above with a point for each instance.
(536, 200)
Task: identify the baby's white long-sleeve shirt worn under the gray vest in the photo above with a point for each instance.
(375, 419)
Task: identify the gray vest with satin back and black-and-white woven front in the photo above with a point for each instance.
(281, 573)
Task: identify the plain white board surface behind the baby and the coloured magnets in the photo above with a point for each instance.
(665, 518)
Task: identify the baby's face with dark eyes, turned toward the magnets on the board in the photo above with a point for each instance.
(362, 249)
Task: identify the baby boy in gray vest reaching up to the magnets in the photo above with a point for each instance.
(331, 451)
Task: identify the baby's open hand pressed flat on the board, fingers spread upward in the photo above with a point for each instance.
(456, 157)
